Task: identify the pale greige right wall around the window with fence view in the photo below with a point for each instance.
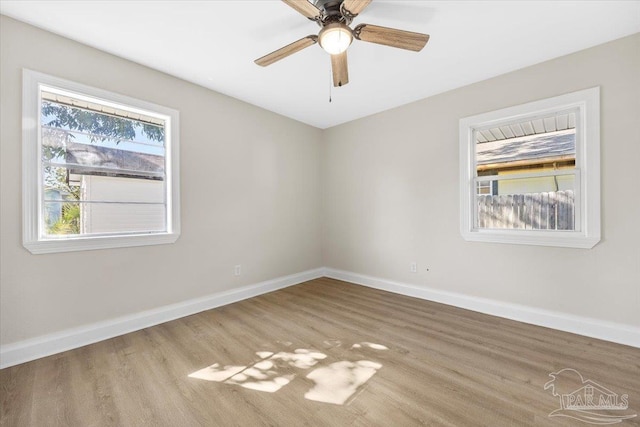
(390, 195)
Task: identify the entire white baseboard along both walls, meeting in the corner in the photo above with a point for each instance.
(24, 351)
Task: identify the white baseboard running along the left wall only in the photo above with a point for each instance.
(24, 351)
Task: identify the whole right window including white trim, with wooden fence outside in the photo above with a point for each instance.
(530, 174)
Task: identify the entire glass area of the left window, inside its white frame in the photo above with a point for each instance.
(103, 171)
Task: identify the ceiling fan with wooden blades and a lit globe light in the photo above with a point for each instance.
(334, 17)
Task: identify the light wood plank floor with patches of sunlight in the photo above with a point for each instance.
(392, 360)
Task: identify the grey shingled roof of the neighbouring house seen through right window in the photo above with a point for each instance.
(550, 145)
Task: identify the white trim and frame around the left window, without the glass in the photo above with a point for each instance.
(32, 236)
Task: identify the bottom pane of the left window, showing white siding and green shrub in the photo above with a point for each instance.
(83, 218)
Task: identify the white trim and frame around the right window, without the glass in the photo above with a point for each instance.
(587, 171)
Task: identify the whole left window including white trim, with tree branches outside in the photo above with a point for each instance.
(100, 170)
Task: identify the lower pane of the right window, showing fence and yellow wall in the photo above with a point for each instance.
(540, 203)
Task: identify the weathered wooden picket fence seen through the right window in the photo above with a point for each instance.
(534, 211)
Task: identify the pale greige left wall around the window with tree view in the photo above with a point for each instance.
(250, 195)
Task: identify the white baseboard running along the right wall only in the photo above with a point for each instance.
(594, 328)
